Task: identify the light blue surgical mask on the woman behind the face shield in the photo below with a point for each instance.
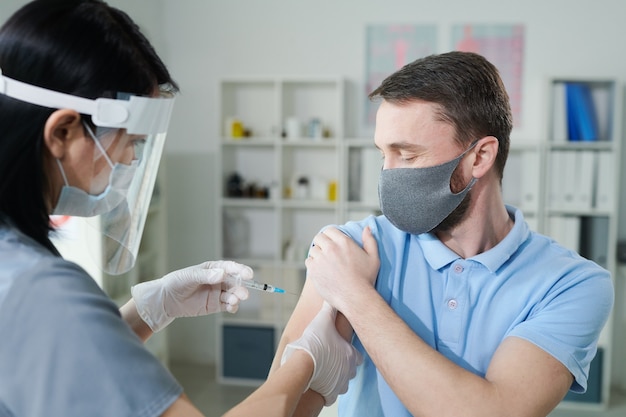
(74, 201)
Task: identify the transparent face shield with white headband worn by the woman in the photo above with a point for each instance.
(118, 177)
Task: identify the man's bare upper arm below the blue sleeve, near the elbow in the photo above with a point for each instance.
(527, 377)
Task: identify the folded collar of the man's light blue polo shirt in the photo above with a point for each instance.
(439, 255)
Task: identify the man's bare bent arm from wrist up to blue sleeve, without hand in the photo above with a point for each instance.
(522, 379)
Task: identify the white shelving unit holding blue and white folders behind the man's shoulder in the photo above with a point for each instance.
(569, 190)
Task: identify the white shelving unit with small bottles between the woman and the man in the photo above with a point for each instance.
(285, 138)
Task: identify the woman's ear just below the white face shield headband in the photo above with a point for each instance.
(61, 128)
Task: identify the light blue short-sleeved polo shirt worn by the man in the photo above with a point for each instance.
(527, 286)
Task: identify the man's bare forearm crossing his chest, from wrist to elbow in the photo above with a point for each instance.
(426, 382)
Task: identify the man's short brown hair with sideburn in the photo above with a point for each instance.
(468, 89)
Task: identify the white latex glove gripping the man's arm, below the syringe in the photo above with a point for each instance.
(334, 359)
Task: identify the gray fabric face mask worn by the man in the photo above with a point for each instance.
(416, 200)
